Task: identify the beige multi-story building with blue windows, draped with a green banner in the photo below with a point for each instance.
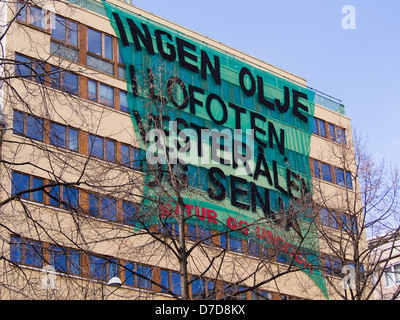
(78, 208)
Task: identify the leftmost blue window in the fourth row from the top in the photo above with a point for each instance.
(23, 182)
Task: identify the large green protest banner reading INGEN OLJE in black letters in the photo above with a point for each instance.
(240, 134)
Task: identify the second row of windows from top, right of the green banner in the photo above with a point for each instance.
(327, 172)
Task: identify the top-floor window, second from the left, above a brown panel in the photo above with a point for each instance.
(64, 39)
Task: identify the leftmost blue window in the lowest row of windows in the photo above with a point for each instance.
(26, 252)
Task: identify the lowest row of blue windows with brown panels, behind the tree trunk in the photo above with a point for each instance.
(74, 262)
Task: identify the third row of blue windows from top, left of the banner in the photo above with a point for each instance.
(67, 137)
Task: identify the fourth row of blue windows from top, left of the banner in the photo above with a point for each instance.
(70, 198)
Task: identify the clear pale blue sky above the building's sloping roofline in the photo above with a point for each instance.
(361, 67)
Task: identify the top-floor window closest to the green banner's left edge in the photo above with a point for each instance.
(100, 51)
